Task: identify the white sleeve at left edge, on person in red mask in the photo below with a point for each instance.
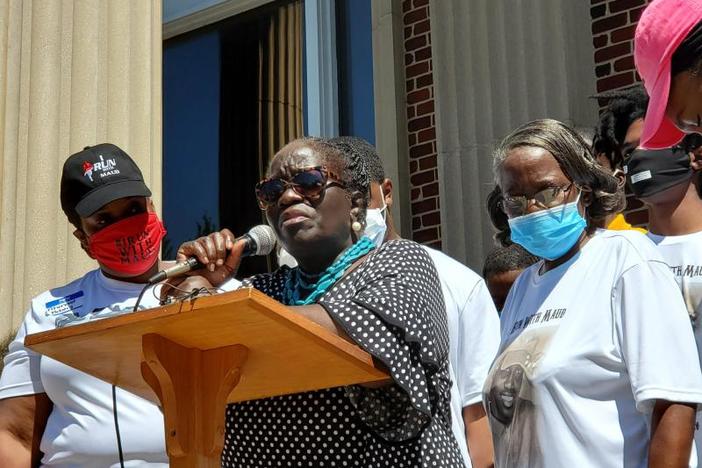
(20, 376)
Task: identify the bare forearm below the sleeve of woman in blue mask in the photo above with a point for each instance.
(672, 430)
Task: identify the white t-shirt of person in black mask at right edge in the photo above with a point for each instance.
(683, 254)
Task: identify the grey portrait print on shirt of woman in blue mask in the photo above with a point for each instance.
(511, 399)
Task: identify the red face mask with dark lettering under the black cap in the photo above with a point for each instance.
(129, 246)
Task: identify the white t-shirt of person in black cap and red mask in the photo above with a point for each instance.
(80, 431)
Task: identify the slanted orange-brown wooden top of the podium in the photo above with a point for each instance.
(288, 353)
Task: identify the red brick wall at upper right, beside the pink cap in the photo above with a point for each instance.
(613, 25)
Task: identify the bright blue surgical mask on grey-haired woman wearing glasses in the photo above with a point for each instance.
(549, 233)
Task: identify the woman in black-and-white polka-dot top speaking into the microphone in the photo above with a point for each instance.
(386, 300)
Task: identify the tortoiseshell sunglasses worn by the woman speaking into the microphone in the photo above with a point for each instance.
(309, 183)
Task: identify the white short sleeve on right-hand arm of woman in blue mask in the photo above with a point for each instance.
(655, 337)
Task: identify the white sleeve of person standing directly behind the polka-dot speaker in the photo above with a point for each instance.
(478, 341)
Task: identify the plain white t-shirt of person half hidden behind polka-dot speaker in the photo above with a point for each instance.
(474, 337)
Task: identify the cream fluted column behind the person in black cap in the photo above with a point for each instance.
(72, 73)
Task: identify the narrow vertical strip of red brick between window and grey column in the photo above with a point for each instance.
(421, 124)
